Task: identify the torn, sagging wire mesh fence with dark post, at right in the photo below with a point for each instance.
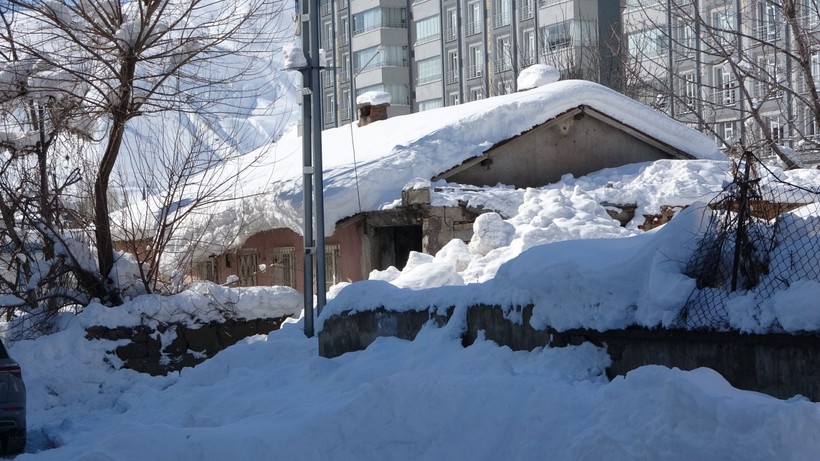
(763, 237)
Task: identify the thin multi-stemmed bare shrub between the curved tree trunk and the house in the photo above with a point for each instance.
(157, 227)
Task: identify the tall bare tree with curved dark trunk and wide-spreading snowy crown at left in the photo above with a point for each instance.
(126, 60)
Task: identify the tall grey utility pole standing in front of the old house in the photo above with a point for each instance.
(313, 183)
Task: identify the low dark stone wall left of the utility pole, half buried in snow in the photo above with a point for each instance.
(171, 347)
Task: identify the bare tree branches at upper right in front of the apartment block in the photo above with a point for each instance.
(744, 72)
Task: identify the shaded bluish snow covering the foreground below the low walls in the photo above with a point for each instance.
(274, 398)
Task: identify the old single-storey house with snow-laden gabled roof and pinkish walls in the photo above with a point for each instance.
(415, 182)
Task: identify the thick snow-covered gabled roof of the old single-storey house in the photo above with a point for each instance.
(365, 168)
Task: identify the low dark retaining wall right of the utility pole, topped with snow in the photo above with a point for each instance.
(777, 364)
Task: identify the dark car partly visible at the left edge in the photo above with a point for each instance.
(12, 404)
